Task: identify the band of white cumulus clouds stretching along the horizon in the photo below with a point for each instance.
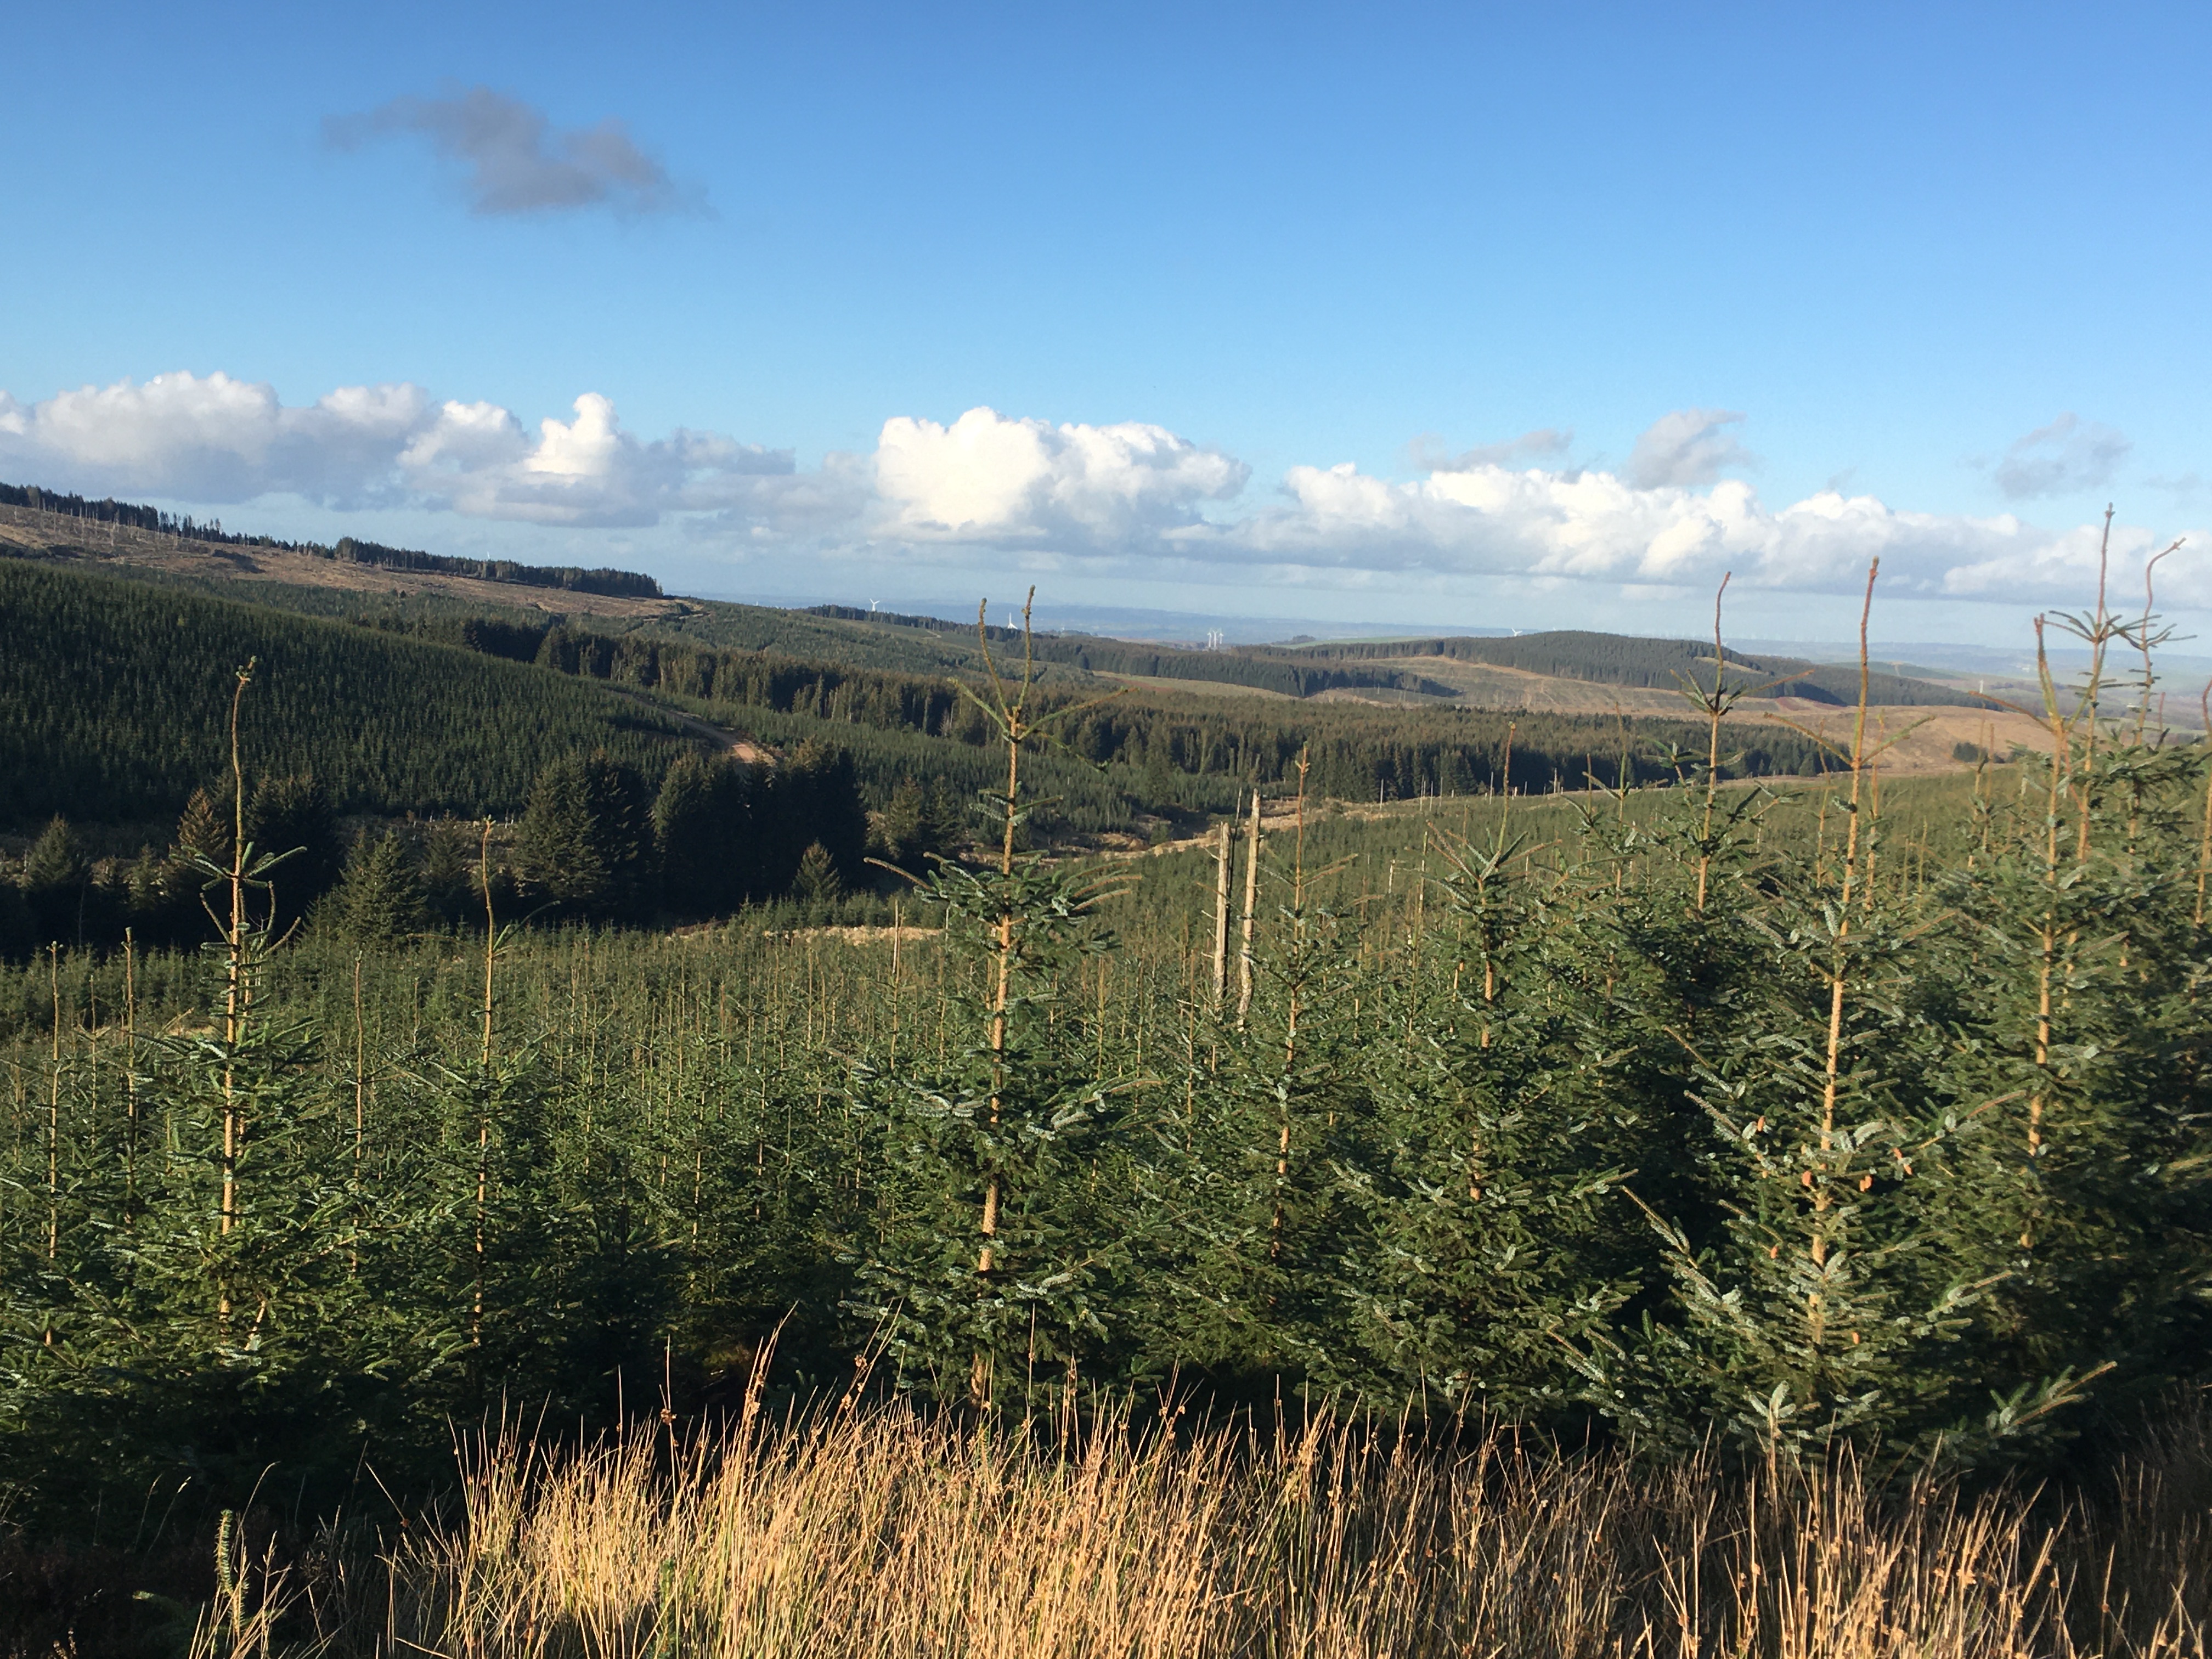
(1109, 499)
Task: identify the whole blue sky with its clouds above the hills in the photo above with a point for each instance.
(1452, 315)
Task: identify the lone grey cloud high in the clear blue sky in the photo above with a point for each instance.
(519, 163)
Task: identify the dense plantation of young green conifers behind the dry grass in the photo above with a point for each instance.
(1680, 1118)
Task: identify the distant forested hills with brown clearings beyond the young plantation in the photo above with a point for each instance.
(435, 691)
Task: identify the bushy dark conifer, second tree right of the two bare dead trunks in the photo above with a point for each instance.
(1496, 1142)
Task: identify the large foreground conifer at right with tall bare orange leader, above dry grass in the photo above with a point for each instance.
(1822, 1288)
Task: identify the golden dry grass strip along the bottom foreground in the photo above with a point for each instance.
(881, 1532)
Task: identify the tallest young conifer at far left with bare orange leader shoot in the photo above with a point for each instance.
(222, 1235)
